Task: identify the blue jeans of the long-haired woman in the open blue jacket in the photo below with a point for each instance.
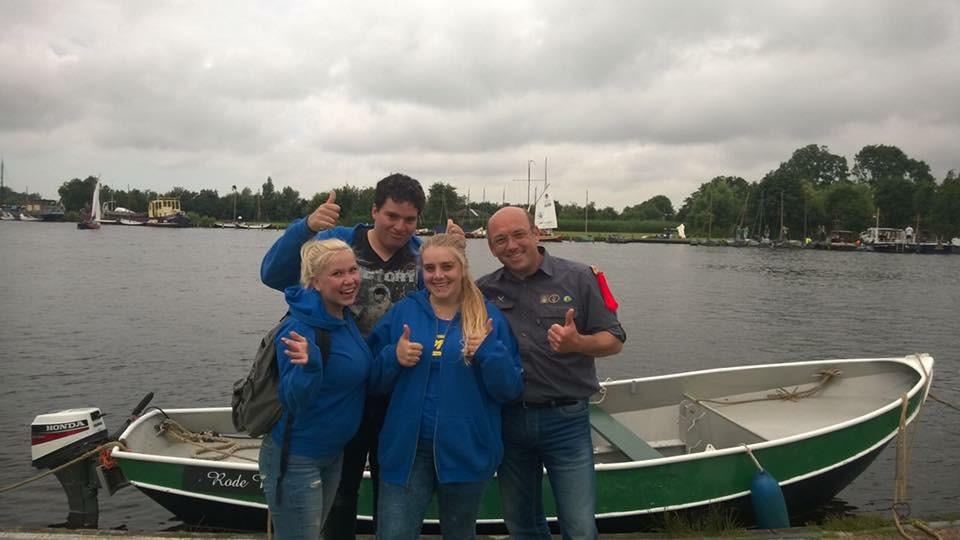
(401, 508)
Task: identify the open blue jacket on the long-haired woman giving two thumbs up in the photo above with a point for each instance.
(467, 444)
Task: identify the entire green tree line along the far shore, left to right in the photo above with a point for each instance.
(813, 190)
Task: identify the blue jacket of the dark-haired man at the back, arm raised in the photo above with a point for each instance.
(280, 267)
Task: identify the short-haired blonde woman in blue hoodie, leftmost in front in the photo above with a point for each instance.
(300, 469)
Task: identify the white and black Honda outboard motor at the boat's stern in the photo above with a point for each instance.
(61, 437)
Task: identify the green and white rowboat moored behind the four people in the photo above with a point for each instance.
(673, 443)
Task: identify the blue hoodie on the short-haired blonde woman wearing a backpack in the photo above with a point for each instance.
(326, 399)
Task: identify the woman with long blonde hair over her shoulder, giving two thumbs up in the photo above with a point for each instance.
(451, 361)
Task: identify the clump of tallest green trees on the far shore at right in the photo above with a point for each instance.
(816, 191)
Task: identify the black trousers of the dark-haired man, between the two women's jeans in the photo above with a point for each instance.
(341, 524)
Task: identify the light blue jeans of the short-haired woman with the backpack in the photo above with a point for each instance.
(306, 491)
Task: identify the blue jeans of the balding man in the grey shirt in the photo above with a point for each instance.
(558, 439)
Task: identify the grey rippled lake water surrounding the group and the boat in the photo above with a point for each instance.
(99, 318)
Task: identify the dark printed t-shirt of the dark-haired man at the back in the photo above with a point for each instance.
(381, 282)
